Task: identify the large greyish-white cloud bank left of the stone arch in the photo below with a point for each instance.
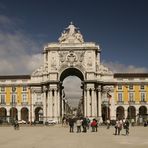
(17, 50)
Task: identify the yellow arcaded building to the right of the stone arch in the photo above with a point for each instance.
(131, 95)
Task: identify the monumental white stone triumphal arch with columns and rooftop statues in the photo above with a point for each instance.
(71, 55)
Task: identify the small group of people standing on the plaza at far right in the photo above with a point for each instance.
(120, 124)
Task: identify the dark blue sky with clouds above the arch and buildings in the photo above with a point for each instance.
(118, 26)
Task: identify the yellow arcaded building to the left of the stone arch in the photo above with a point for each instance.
(15, 97)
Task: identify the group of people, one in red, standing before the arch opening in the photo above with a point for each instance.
(82, 124)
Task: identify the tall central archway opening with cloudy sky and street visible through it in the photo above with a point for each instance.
(72, 92)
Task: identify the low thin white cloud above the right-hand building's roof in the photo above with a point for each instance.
(117, 67)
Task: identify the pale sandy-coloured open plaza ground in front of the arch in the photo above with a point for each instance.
(59, 137)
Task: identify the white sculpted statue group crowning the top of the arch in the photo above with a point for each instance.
(71, 35)
